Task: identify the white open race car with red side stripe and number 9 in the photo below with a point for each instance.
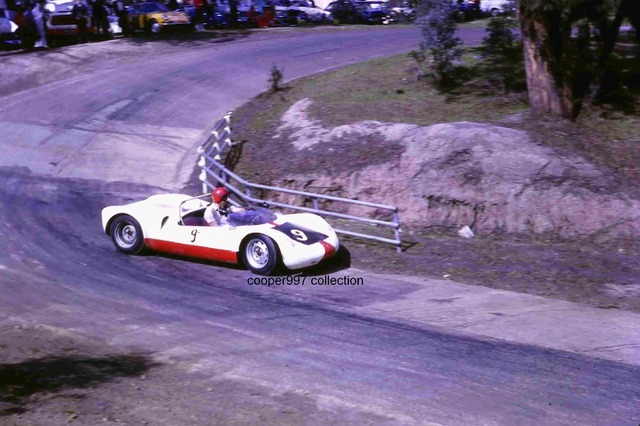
(174, 224)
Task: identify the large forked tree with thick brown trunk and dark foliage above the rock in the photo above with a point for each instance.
(563, 61)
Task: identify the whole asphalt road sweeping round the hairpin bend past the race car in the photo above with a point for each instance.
(58, 268)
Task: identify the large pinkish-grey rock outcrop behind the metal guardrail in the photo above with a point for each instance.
(492, 178)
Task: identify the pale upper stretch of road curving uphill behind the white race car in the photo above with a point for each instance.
(126, 112)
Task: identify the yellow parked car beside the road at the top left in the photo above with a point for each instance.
(153, 18)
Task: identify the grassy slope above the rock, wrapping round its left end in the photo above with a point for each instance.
(383, 90)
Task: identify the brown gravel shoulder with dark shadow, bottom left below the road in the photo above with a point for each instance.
(50, 376)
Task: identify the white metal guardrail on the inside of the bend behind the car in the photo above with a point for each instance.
(214, 173)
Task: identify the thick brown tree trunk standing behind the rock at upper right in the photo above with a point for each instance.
(545, 48)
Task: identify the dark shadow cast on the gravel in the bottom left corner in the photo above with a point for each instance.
(18, 382)
